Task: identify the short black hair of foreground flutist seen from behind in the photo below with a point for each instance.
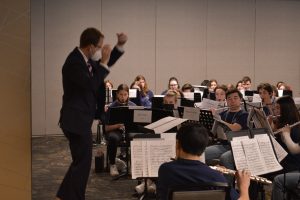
(192, 138)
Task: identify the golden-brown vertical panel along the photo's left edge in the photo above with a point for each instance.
(15, 133)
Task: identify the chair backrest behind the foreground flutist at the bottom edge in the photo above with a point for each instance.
(203, 191)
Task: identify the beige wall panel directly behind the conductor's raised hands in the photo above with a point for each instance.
(137, 19)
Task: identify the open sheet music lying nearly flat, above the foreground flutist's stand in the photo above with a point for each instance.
(165, 124)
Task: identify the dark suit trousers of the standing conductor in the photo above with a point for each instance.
(75, 181)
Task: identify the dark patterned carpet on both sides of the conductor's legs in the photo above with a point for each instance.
(50, 161)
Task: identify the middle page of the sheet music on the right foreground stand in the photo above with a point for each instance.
(254, 158)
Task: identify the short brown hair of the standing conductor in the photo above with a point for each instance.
(90, 36)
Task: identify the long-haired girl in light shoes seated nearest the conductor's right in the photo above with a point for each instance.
(113, 132)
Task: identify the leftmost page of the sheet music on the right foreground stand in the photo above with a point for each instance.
(239, 155)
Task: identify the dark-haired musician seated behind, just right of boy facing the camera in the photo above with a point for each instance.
(265, 91)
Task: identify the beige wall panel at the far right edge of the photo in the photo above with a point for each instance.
(278, 43)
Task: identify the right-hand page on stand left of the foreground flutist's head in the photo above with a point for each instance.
(159, 152)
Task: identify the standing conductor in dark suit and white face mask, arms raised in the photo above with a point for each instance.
(82, 78)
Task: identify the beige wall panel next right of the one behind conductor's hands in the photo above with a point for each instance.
(180, 42)
